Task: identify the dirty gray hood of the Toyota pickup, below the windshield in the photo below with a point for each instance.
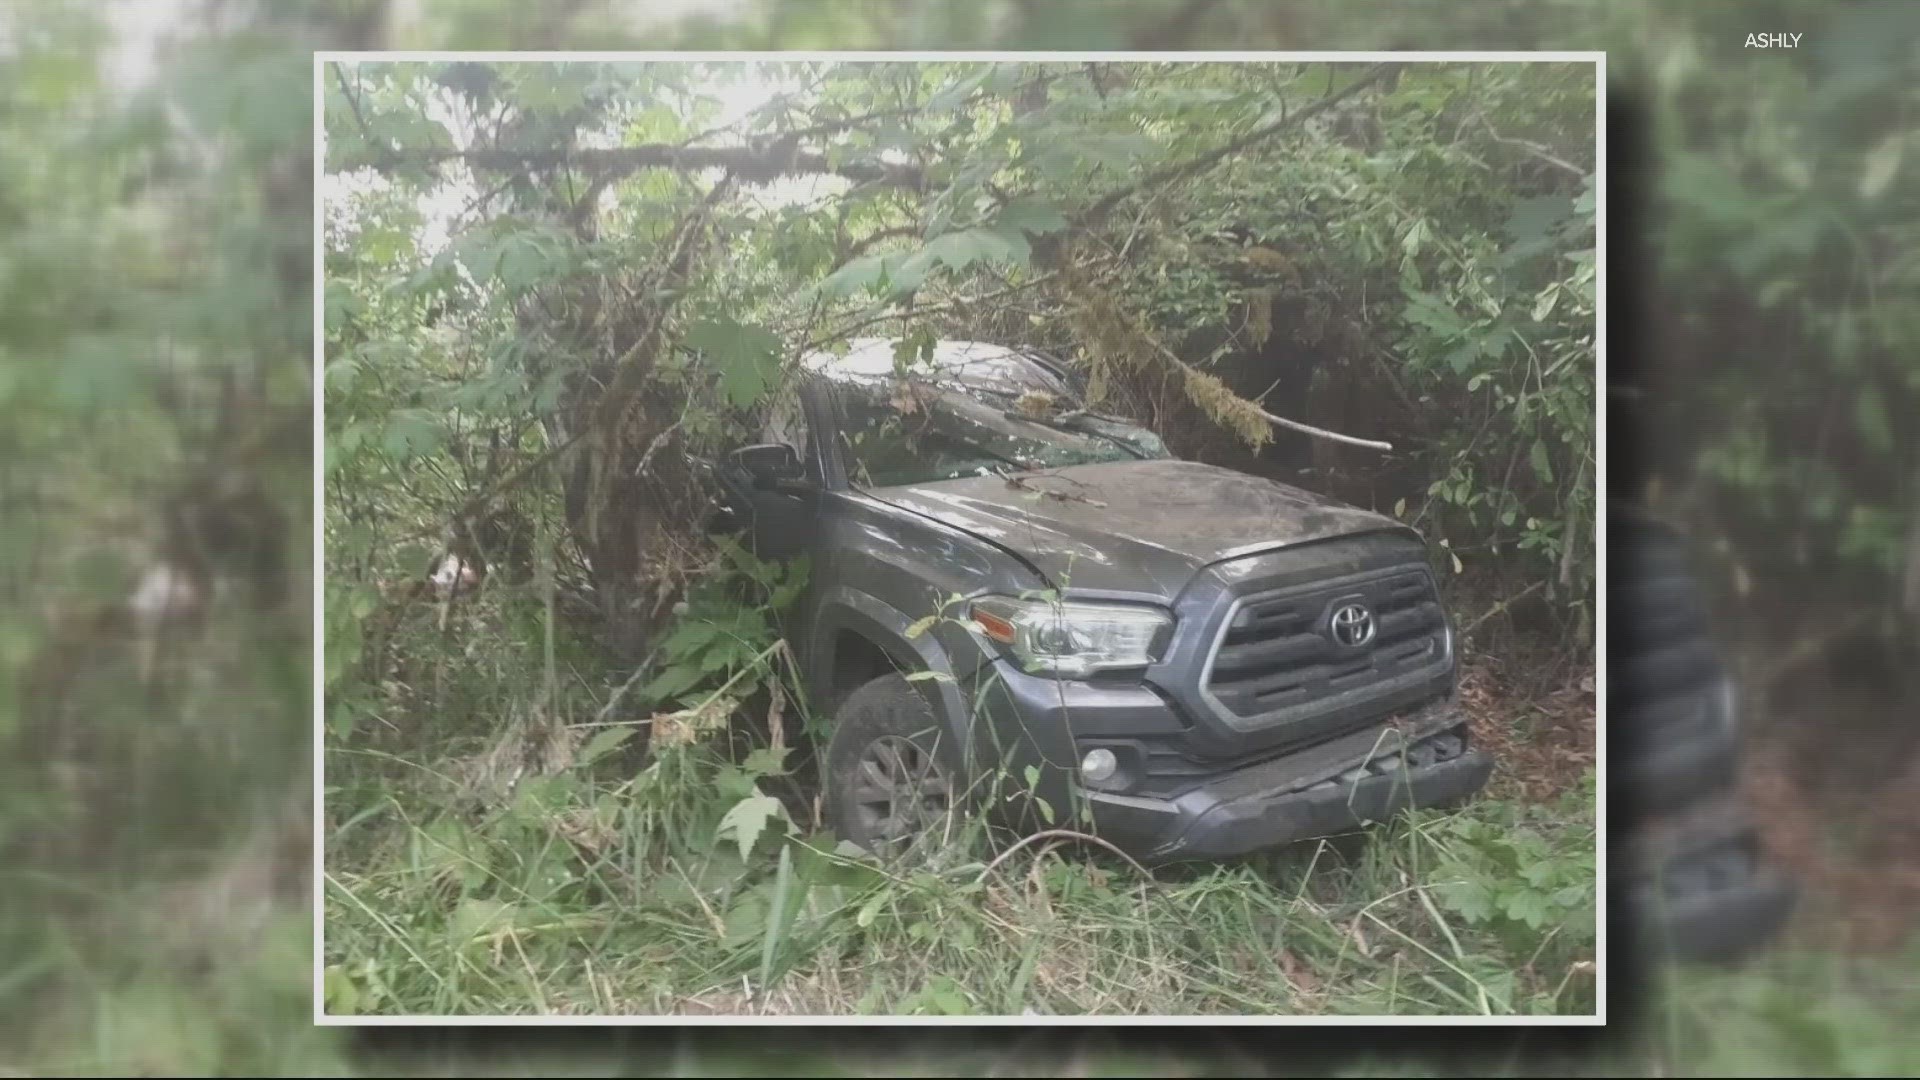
(1134, 526)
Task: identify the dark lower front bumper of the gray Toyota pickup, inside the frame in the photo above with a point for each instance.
(1318, 791)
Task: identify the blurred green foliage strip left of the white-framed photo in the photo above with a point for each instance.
(155, 560)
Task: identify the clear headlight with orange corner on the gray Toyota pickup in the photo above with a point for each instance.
(1072, 639)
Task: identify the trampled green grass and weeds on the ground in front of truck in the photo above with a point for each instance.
(596, 900)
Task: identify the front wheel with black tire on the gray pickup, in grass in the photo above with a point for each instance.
(892, 770)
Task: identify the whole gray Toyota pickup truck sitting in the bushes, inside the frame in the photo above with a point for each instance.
(1022, 606)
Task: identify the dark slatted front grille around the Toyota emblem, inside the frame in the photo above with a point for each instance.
(1280, 654)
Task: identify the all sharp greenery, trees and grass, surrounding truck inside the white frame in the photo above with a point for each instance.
(540, 802)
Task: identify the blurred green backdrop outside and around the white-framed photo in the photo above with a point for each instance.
(156, 501)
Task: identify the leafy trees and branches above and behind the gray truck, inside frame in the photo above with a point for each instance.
(558, 280)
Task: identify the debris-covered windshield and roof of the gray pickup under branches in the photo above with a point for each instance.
(972, 414)
